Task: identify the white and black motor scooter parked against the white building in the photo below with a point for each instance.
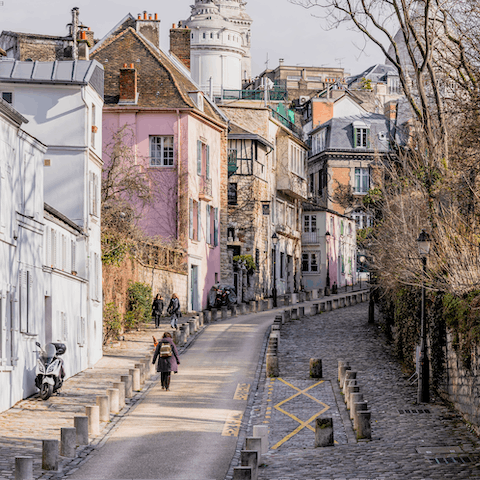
(49, 371)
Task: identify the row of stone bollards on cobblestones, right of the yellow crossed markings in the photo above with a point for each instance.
(358, 408)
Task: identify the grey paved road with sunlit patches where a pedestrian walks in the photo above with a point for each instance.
(191, 431)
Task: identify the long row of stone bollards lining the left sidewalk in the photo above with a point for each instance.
(89, 424)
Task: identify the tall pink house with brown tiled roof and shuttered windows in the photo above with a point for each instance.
(179, 139)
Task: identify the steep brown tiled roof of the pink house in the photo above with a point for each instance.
(160, 80)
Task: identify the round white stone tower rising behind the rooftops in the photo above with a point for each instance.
(220, 44)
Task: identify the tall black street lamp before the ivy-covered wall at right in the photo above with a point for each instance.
(423, 242)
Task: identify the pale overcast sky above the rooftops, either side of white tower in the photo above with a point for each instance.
(280, 29)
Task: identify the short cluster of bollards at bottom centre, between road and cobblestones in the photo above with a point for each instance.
(251, 455)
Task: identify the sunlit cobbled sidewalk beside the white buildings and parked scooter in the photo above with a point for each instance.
(30, 421)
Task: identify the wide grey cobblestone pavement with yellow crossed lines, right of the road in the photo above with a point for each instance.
(404, 444)
